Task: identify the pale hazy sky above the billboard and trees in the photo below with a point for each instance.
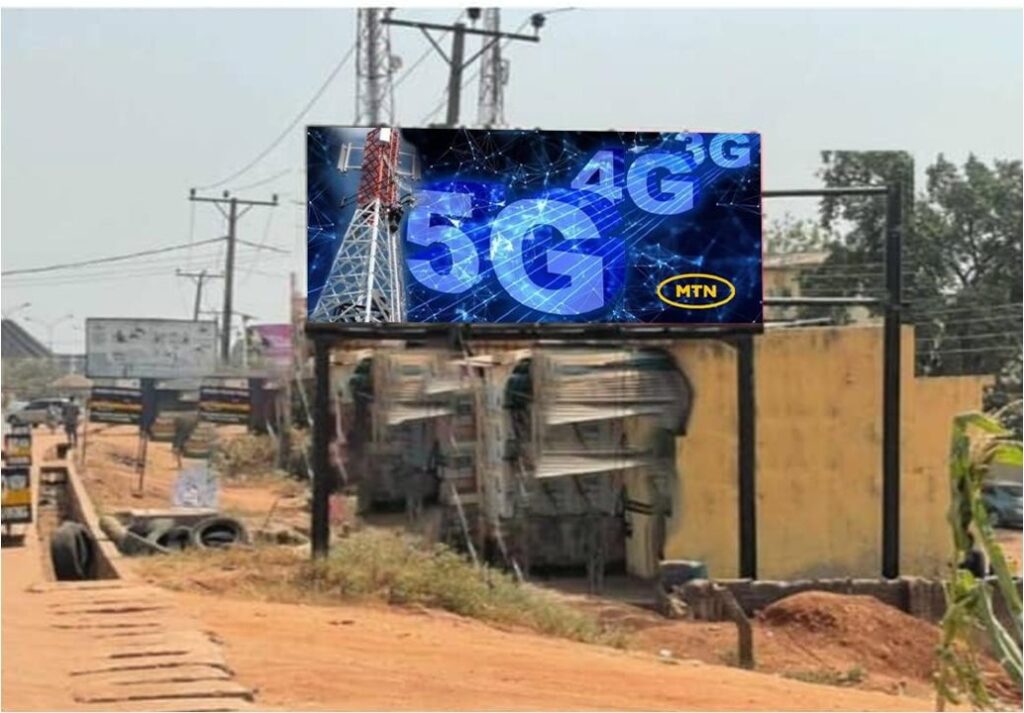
(109, 117)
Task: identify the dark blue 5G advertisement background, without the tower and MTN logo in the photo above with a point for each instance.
(623, 250)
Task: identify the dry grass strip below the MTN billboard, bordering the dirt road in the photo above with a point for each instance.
(380, 566)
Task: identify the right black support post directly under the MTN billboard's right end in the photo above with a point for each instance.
(746, 405)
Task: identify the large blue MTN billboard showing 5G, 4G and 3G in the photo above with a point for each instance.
(508, 227)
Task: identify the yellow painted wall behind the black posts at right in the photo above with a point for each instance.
(819, 457)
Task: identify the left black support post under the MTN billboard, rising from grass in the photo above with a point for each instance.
(320, 527)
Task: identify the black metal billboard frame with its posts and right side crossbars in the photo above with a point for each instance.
(325, 337)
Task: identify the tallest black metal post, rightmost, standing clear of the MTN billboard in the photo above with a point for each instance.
(891, 384)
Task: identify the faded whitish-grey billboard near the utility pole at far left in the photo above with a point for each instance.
(150, 349)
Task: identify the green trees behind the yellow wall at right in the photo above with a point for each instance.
(962, 258)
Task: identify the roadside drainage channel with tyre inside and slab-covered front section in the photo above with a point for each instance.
(135, 649)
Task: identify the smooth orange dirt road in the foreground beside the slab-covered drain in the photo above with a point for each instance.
(362, 658)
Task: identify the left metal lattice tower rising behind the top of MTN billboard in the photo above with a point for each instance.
(375, 67)
